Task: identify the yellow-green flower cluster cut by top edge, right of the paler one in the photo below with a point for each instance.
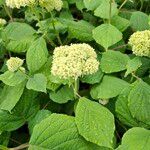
(50, 5)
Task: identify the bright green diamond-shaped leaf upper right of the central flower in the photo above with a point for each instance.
(106, 35)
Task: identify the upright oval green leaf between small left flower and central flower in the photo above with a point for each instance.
(37, 55)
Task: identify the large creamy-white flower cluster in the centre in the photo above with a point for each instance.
(74, 61)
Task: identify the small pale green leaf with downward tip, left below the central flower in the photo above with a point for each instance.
(37, 83)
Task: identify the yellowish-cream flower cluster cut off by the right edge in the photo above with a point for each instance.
(140, 42)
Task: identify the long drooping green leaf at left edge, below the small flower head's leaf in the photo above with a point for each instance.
(10, 95)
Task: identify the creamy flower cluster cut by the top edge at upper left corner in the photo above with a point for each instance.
(19, 3)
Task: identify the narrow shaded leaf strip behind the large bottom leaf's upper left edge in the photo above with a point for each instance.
(41, 115)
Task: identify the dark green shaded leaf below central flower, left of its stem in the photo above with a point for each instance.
(62, 95)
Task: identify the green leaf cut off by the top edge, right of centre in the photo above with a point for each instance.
(92, 4)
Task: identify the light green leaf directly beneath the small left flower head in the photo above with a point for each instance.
(12, 78)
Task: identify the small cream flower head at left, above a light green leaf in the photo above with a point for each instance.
(14, 63)
